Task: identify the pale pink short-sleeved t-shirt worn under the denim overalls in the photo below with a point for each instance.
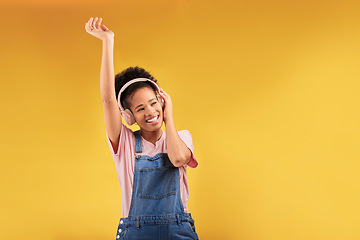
(125, 159)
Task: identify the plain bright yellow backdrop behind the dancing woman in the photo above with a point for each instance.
(268, 89)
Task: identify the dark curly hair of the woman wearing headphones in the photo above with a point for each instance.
(125, 76)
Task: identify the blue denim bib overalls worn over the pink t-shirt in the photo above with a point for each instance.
(156, 210)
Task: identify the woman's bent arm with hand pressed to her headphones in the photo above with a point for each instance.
(179, 153)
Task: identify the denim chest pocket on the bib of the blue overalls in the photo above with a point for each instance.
(157, 183)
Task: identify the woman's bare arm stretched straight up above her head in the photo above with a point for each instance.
(112, 115)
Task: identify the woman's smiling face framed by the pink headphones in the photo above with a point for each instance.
(145, 108)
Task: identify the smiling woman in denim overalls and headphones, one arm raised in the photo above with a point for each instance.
(150, 163)
